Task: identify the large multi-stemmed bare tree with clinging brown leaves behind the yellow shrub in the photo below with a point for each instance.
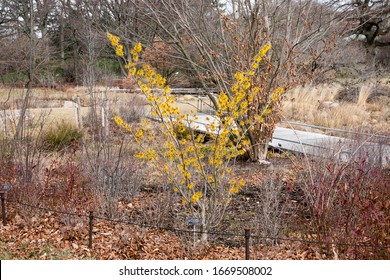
(220, 38)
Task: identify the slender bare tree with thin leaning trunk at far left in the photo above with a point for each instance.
(30, 20)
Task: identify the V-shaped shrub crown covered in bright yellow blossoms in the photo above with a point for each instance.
(193, 168)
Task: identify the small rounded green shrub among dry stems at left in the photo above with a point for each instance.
(60, 137)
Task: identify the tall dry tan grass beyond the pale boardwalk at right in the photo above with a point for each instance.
(317, 105)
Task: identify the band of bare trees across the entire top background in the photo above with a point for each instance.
(184, 38)
